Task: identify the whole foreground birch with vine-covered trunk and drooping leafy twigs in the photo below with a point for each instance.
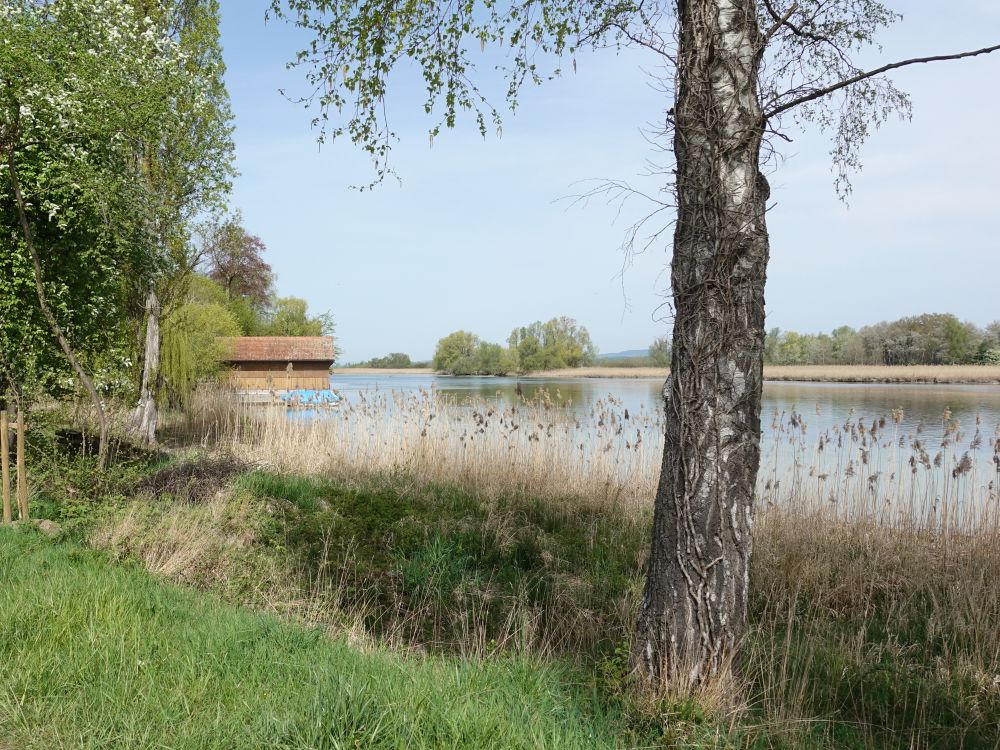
(742, 72)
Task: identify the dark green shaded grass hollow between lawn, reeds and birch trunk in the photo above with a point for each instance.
(434, 562)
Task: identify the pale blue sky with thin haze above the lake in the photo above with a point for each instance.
(483, 234)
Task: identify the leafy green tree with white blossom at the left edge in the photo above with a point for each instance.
(84, 84)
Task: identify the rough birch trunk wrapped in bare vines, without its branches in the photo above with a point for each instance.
(694, 606)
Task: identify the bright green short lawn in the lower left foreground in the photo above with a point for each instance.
(94, 655)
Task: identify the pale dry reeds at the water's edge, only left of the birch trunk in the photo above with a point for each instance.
(532, 447)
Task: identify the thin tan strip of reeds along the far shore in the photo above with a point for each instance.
(872, 374)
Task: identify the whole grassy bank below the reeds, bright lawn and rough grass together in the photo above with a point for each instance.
(860, 635)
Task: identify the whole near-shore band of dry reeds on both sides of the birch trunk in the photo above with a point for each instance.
(937, 476)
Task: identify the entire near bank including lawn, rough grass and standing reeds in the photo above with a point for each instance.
(481, 550)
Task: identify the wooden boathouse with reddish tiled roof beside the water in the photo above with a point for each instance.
(279, 362)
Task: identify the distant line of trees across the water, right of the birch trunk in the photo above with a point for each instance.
(930, 339)
